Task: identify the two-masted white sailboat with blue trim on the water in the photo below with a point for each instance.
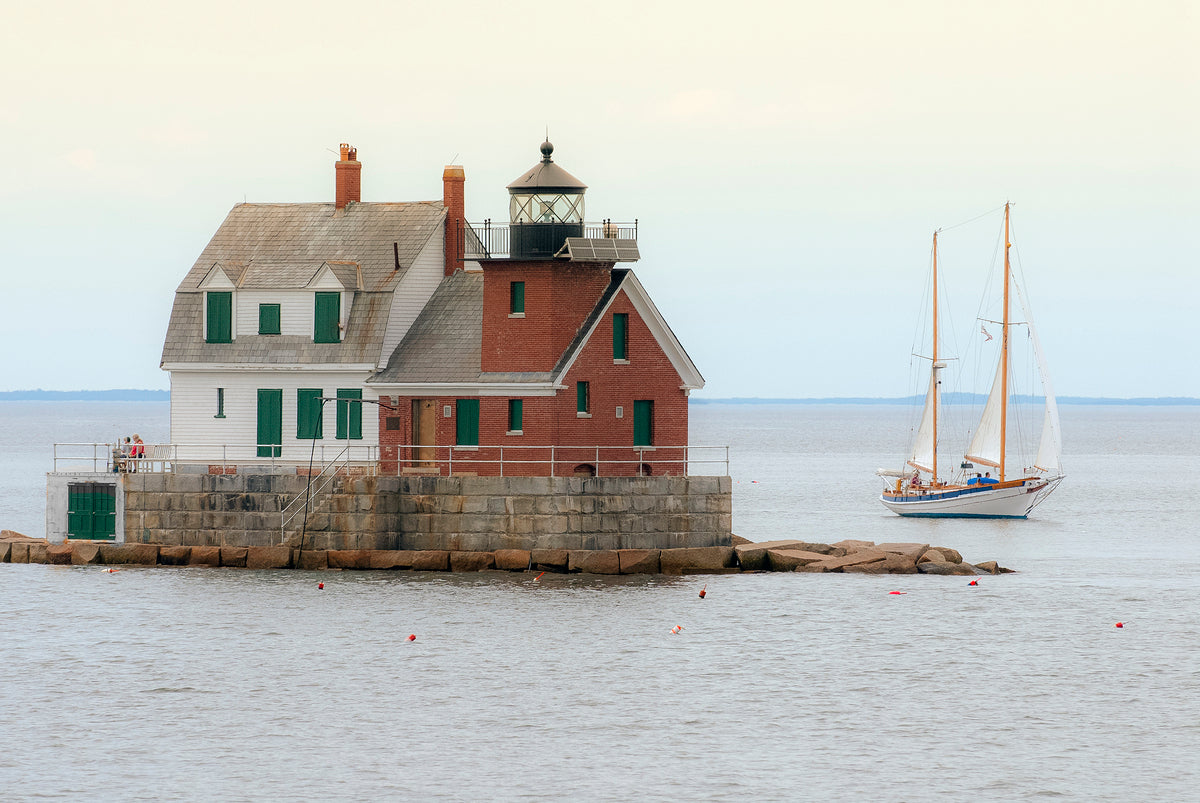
(922, 490)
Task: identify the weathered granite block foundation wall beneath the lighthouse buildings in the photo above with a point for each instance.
(459, 514)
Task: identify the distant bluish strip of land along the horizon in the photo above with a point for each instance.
(130, 394)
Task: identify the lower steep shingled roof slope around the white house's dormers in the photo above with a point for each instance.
(364, 335)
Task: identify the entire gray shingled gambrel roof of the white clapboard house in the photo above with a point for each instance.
(284, 247)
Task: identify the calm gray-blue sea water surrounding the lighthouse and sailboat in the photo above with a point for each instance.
(205, 685)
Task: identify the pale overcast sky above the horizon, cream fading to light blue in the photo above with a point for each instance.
(788, 164)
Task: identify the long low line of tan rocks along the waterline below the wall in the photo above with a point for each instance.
(851, 558)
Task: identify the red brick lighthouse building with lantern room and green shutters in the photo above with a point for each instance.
(537, 355)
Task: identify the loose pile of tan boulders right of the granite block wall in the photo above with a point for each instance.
(859, 558)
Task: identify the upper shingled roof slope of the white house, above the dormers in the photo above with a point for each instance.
(297, 235)
